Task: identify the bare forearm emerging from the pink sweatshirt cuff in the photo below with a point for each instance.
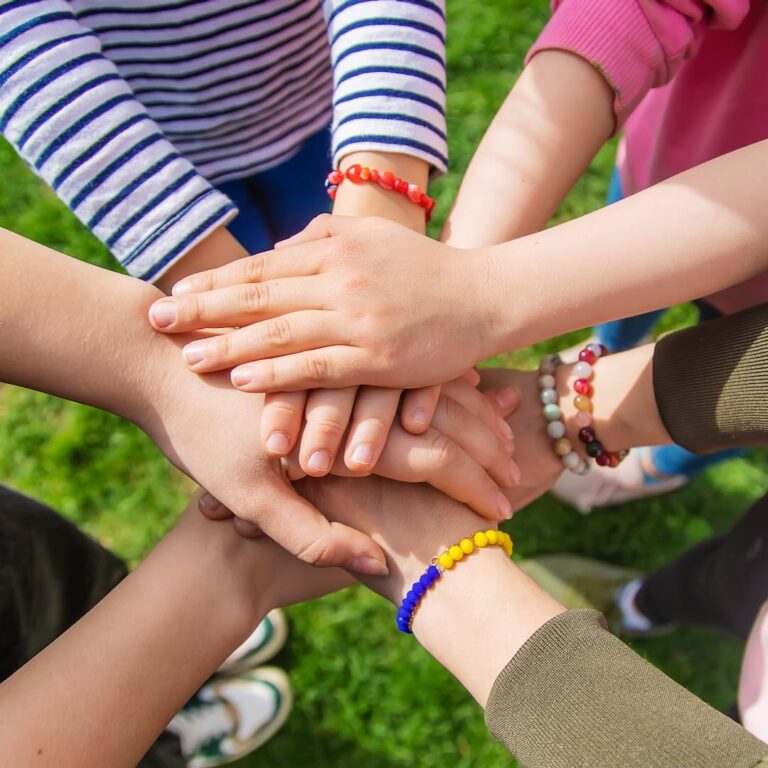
(544, 136)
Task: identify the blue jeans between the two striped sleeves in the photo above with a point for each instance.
(278, 203)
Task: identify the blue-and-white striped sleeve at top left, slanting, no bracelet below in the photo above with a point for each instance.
(75, 121)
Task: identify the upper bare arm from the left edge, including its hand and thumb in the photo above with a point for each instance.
(79, 332)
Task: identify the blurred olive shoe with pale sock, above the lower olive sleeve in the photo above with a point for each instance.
(580, 582)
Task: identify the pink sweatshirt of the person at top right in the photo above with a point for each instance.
(707, 63)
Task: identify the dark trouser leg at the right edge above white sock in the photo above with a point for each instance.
(721, 582)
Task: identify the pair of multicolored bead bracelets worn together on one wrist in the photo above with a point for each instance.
(584, 371)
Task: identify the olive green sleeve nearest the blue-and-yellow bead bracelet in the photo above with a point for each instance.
(574, 695)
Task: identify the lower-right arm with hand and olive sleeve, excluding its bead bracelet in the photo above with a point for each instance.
(486, 620)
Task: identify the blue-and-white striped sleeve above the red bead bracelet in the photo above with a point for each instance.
(389, 77)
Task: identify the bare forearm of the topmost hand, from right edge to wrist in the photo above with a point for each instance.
(694, 234)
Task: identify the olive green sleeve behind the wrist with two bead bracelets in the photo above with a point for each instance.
(711, 382)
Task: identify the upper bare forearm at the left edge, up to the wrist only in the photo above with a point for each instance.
(60, 324)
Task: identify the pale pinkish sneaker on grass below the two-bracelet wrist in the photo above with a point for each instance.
(607, 486)
